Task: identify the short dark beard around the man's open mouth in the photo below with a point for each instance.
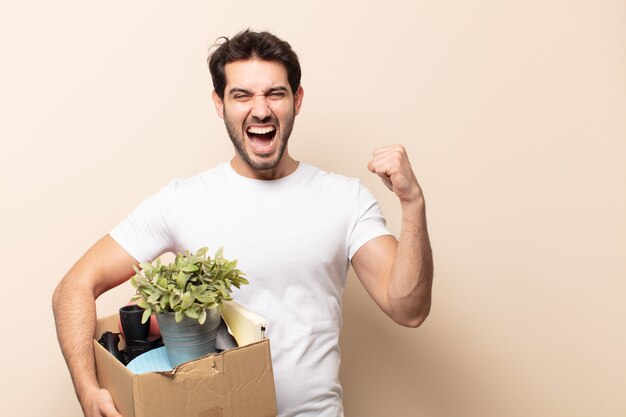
(260, 162)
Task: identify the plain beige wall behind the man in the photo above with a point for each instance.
(514, 117)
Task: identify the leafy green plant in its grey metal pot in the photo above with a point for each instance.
(186, 296)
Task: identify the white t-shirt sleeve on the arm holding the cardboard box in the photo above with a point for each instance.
(146, 233)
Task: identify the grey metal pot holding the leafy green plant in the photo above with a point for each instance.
(188, 339)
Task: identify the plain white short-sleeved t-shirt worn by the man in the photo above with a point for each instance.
(294, 238)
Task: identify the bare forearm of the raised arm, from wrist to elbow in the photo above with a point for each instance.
(410, 283)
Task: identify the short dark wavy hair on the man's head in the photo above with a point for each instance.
(248, 44)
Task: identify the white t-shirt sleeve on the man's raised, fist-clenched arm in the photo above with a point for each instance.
(369, 223)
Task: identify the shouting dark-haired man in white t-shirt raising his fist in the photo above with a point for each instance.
(293, 228)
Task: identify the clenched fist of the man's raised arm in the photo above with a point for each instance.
(392, 165)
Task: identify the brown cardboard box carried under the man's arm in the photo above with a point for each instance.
(234, 383)
